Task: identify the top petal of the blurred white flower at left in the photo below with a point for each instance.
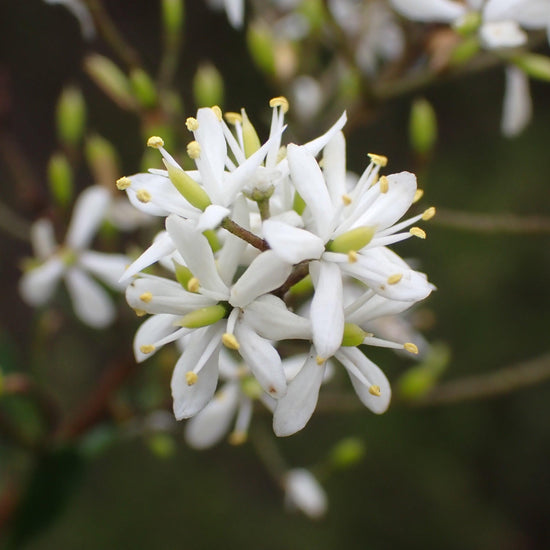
(89, 210)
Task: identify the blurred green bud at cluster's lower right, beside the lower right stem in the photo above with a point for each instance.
(420, 379)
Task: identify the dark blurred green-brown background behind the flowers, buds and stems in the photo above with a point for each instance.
(471, 474)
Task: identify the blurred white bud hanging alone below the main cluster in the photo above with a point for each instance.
(304, 492)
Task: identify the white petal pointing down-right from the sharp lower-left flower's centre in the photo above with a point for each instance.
(262, 359)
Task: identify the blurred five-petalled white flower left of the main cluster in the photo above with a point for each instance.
(74, 262)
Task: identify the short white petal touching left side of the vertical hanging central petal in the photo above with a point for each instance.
(271, 319)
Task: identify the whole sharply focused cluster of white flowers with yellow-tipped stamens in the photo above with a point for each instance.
(264, 244)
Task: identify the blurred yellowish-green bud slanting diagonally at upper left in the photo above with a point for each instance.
(111, 80)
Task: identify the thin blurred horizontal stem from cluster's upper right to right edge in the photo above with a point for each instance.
(492, 223)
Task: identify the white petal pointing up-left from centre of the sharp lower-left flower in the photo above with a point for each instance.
(195, 250)
